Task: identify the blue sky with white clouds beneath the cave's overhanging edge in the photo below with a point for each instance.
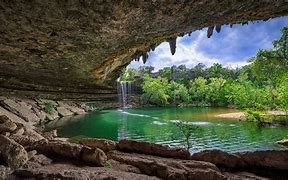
(232, 47)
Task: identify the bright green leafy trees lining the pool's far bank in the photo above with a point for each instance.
(260, 85)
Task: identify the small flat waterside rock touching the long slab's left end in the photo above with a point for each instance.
(104, 144)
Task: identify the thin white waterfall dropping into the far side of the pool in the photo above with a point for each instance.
(124, 93)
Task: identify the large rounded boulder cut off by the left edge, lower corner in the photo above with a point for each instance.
(13, 153)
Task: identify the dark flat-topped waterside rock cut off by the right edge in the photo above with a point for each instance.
(266, 159)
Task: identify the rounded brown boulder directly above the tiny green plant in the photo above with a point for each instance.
(94, 156)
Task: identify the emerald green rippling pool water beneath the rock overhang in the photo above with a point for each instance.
(157, 125)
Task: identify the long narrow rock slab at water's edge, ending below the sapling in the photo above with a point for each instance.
(153, 149)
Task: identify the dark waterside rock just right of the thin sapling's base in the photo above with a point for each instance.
(219, 158)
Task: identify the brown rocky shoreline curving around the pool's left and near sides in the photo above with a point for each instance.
(28, 152)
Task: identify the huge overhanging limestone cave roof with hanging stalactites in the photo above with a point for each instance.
(76, 48)
